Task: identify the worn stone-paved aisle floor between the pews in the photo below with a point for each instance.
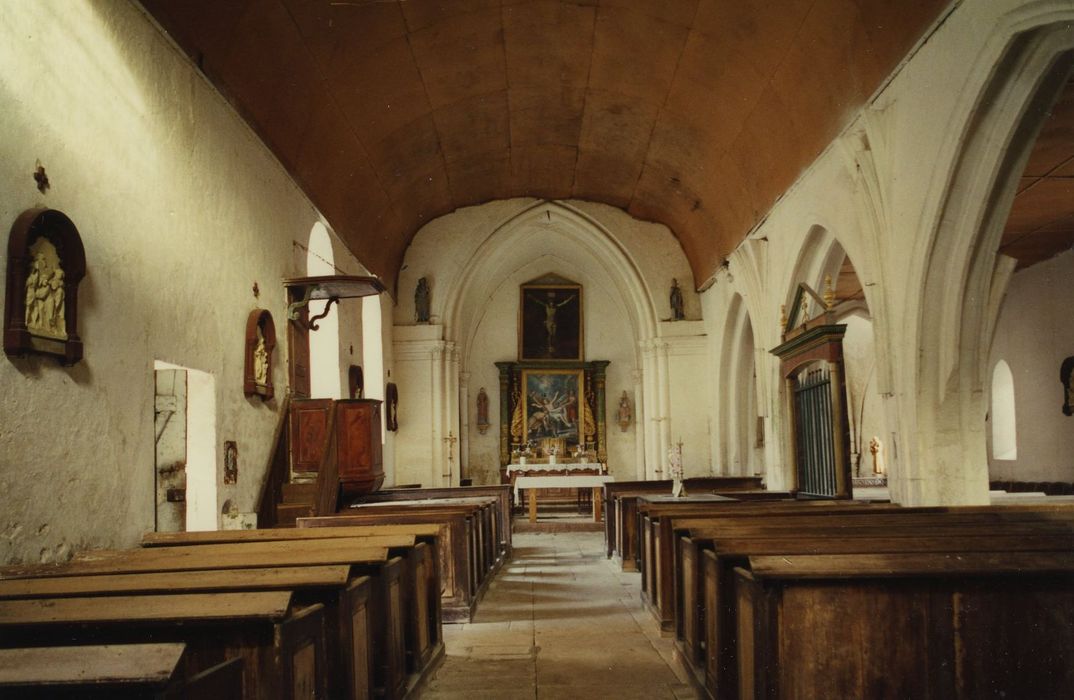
(559, 621)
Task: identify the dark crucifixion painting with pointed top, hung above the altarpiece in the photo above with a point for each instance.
(550, 326)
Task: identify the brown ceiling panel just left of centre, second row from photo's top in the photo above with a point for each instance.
(475, 126)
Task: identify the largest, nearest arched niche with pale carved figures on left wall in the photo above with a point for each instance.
(46, 264)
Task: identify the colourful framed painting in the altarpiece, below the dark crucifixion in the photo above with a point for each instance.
(554, 404)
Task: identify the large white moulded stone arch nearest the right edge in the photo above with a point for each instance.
(963, 276)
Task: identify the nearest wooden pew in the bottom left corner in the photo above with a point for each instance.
(113, 673)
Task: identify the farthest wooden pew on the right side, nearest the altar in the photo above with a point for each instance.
(620, 507)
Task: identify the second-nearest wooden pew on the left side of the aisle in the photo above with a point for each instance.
(282, 648)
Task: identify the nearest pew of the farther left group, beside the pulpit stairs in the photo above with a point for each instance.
(460, 572)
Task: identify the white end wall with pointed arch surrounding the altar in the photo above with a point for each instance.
(475, 260)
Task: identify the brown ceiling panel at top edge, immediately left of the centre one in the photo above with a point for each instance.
(461, 57)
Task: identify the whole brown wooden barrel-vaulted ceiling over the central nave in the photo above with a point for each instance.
(696, 114)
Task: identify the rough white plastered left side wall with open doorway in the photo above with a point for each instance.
(182, 210)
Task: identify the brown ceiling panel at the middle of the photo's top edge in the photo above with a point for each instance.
(532, 30)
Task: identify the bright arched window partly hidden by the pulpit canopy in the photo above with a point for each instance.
(325, 342)
